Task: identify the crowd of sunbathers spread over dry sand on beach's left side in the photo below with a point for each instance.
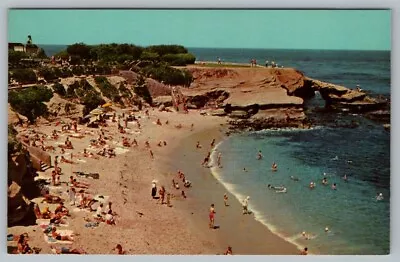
(78, 194)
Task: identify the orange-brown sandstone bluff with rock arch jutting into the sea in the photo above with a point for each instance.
(262, 97)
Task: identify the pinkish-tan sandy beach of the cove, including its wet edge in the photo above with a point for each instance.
(143, 226)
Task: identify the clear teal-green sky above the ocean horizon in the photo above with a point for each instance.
(281, 29)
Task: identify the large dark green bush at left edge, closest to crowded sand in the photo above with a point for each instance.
(29, 101)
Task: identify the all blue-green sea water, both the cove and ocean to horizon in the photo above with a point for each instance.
(357, 222)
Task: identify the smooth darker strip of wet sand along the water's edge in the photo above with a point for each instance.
(243, 232)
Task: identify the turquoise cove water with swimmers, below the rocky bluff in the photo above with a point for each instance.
(357, 222)
